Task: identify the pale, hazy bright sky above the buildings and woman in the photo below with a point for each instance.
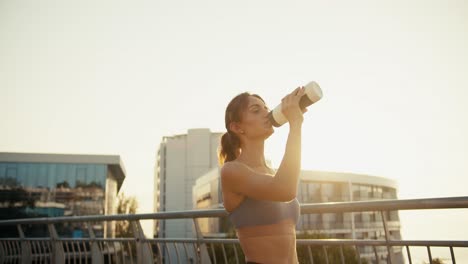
(114, 77)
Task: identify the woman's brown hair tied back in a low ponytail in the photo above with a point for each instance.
(230, 142)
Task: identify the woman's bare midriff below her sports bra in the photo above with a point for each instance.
(275, 243)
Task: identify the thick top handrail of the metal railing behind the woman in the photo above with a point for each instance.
(376, 205)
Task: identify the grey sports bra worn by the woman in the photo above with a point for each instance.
(253, 212)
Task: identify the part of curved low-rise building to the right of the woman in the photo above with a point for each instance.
(321, 187)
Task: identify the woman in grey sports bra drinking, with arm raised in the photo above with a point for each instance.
(261, 203)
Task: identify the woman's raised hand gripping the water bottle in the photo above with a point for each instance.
(290, 106)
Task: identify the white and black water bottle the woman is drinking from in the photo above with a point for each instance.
(313, 93)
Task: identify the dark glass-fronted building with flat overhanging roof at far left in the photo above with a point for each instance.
(51, 185)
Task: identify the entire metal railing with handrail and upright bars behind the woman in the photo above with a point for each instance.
(200, 249)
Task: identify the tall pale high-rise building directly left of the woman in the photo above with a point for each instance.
(181, 160)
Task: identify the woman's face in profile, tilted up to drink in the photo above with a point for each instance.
(255, 122)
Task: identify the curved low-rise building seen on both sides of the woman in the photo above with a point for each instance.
(319, 187)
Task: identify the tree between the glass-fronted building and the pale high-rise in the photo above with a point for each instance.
(125, 205)
